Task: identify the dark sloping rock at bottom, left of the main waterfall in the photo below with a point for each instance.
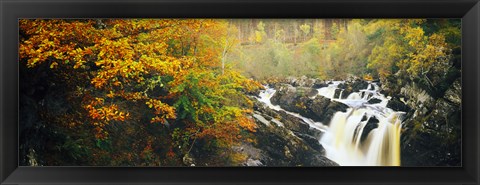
(279, 146)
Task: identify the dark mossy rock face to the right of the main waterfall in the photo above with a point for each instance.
(432, 137)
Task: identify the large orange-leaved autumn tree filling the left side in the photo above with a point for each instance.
(144, 72)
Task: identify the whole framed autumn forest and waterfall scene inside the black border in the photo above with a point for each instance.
(240, 92)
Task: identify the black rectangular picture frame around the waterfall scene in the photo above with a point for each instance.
(12, 10)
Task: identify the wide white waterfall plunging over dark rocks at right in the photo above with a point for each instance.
(342, 140)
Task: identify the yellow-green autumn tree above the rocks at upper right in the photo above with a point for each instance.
(403, 45)
